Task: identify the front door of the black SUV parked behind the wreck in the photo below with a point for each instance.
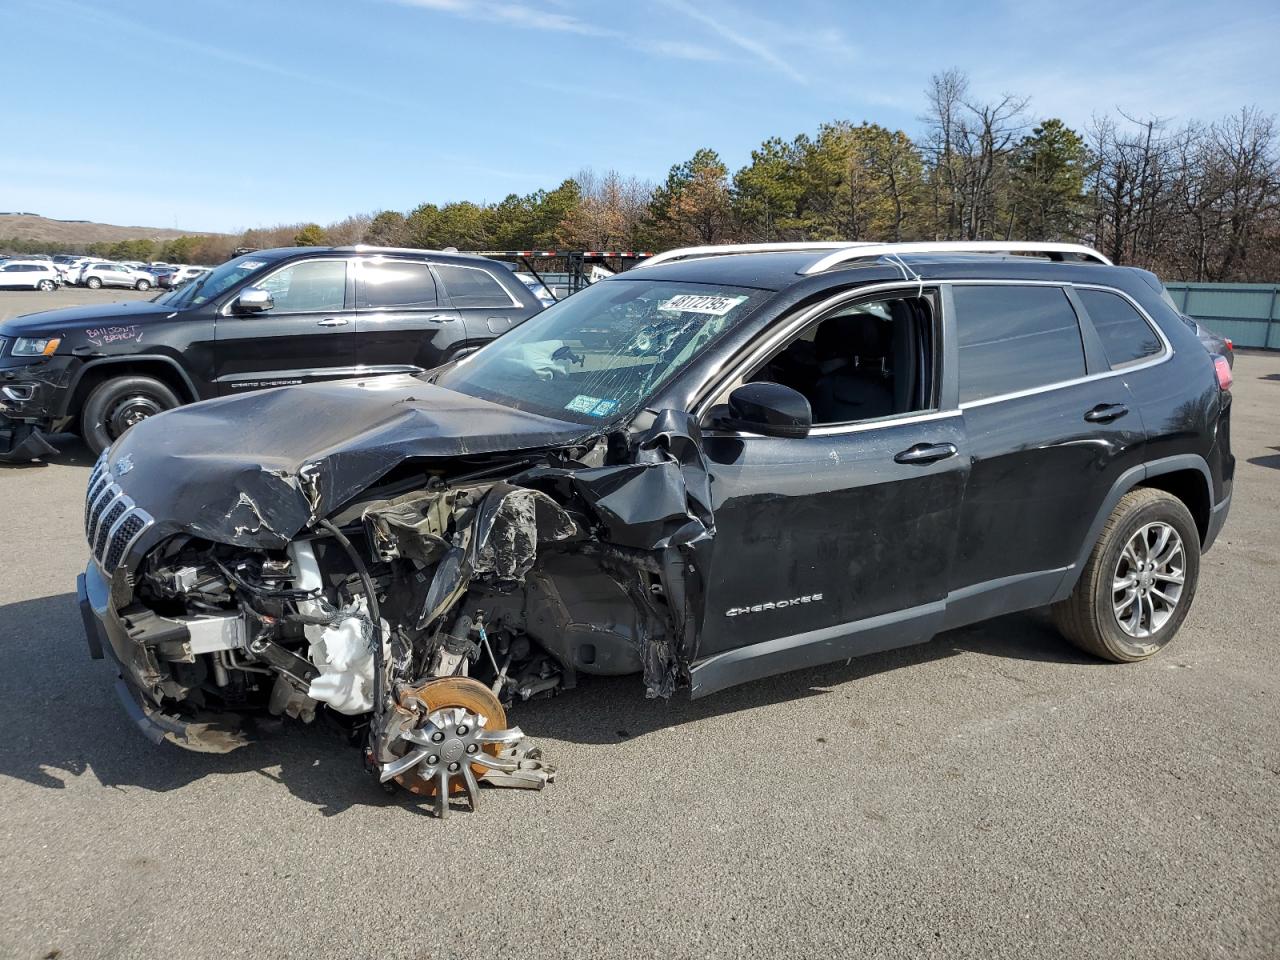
(307, 337)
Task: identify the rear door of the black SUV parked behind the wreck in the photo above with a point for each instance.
(401, 326)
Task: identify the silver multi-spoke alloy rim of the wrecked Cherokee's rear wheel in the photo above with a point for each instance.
(1149, 580)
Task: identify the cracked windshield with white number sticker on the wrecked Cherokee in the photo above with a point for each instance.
(602, 353)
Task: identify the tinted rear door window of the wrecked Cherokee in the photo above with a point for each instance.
(1016, 339)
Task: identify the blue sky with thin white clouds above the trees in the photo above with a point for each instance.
(225, 115)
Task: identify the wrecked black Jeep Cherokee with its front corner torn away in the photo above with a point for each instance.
(723, 465)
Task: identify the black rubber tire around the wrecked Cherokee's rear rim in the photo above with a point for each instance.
(1089, 618)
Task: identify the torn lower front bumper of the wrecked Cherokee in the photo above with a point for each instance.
(139, 673)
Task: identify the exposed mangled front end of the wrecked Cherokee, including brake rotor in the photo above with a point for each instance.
(423, 609)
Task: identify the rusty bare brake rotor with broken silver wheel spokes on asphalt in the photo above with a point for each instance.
(458, 735)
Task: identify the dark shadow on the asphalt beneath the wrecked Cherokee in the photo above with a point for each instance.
(63, 721)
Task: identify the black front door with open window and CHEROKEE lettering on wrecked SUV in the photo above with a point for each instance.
(842, 543)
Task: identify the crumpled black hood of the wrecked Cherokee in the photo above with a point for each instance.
(257, 469)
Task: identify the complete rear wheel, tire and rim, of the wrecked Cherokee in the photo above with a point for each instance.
(1140, 582)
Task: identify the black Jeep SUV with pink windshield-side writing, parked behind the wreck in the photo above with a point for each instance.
(267, 319)
